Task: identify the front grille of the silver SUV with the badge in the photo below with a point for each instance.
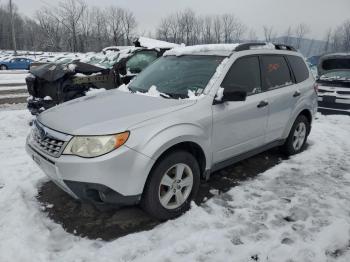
(46, 142)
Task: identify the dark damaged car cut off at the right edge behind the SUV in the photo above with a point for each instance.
(334, 84)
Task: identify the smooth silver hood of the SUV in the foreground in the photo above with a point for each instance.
(109, 112)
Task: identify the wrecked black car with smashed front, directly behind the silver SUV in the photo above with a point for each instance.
(61, 82)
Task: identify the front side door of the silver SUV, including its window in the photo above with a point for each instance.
(239, 127)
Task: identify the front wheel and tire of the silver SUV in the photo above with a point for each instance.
(161, 197)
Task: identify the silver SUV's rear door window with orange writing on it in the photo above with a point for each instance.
(275, 72)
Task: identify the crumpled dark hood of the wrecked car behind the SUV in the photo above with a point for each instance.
(52, 72)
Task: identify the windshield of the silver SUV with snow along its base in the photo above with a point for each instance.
(175, 76)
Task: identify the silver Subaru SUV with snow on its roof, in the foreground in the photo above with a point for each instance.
(193, 111)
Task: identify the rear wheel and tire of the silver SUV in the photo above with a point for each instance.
(297, 137)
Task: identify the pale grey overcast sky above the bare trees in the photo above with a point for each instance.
(318, 14)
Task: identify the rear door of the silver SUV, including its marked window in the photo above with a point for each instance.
(278, 83)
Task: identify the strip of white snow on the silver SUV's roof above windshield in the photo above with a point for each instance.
(212, 49)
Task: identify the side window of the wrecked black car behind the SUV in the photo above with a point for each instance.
(140, 61)
